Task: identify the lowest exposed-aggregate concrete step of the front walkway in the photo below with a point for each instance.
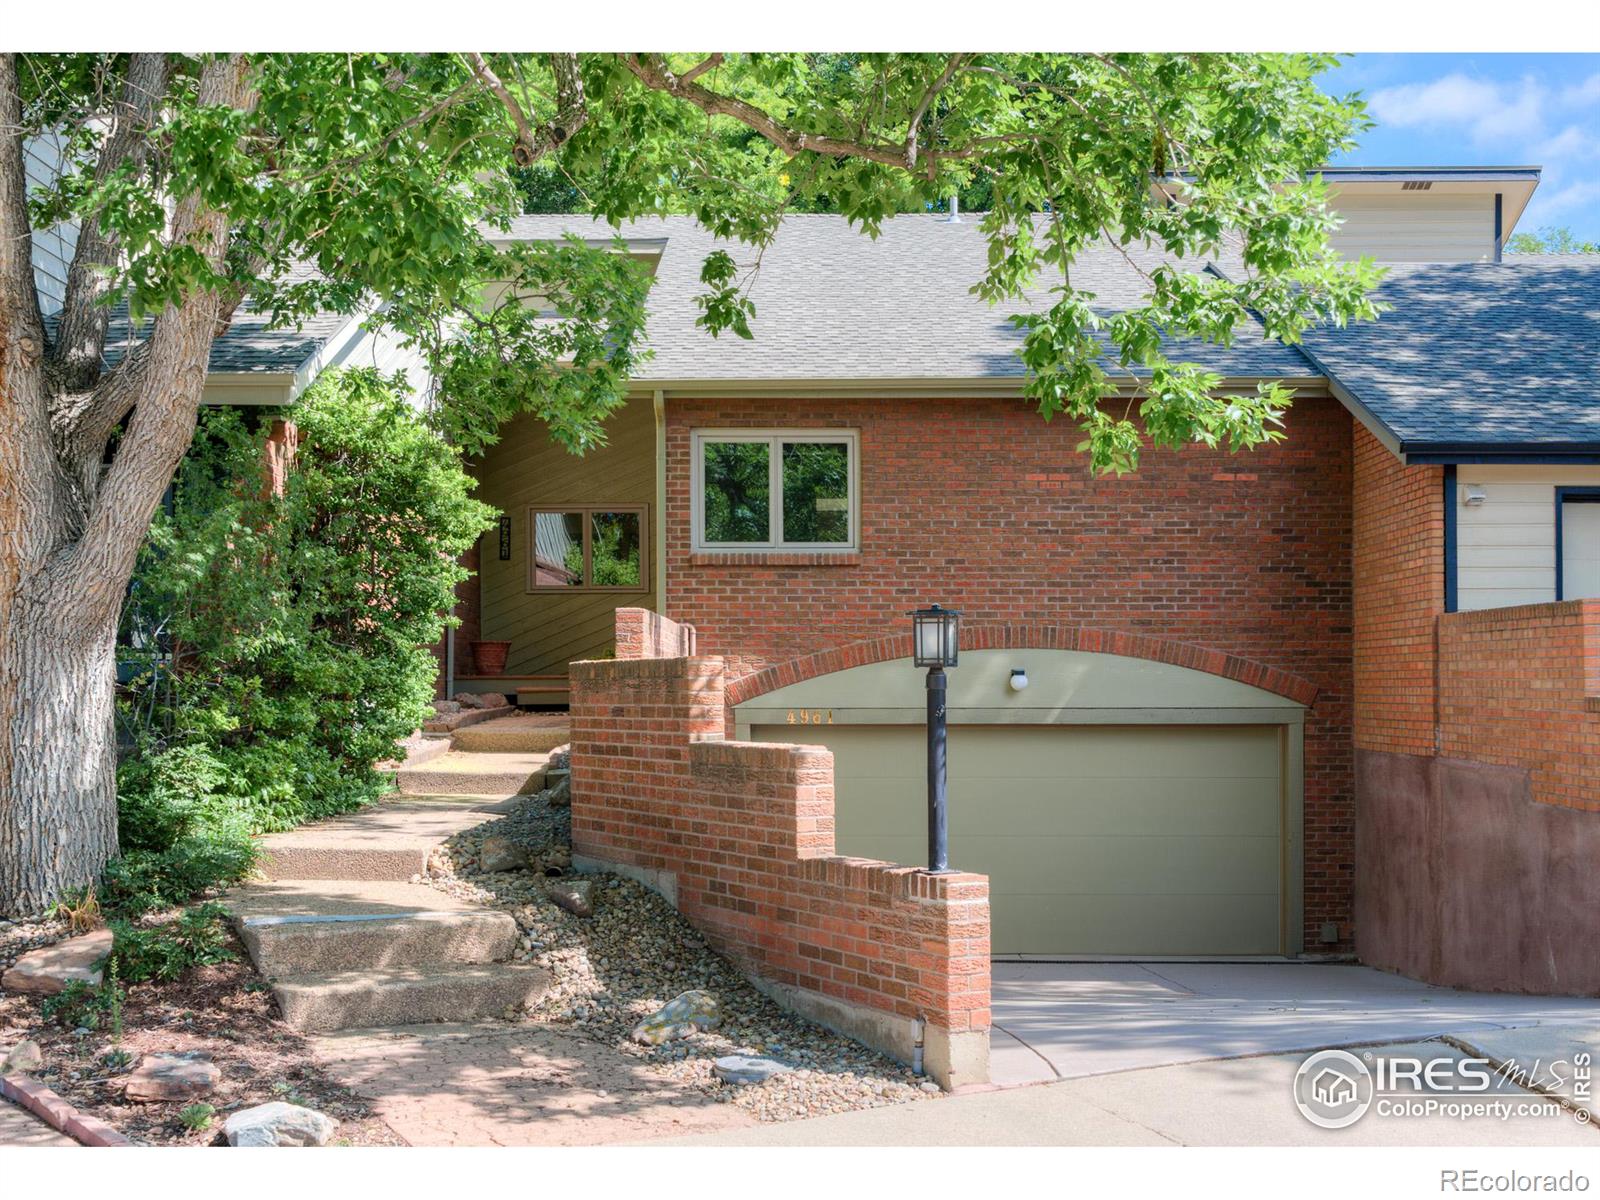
(407, 998)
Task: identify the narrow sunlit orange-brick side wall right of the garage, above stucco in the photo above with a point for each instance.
(1399, 596)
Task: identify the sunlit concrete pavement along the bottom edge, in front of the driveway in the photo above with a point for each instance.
(1228, 1103)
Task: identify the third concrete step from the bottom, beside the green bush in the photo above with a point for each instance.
(385, 842)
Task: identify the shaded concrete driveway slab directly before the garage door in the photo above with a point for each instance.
(1073, 1020)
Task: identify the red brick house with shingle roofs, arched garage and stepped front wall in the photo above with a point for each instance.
(1337, 697)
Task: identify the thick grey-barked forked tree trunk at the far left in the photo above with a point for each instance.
(70, 532)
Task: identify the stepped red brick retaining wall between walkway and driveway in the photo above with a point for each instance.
(748, 834)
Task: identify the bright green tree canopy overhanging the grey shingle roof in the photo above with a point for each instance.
(391, 174)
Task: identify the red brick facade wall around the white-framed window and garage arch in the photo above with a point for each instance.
(983, 506)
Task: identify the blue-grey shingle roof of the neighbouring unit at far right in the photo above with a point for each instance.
(1479, 354)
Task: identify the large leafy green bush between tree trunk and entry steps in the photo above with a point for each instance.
(276, 647)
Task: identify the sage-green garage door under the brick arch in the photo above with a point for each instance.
(1119, 841)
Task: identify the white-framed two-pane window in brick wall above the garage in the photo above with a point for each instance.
(782, 490)
